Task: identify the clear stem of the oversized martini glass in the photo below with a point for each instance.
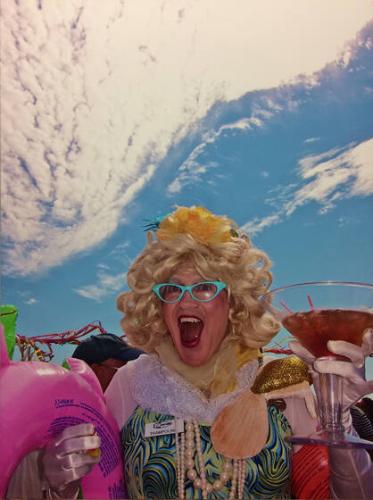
(330, 402)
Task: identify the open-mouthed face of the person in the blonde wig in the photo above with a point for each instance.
(197, 328)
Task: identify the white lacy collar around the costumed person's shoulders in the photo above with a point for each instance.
(155, 387)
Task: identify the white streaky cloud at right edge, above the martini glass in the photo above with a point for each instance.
(325, 179)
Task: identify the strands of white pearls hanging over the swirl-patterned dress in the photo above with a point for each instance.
(188, 448)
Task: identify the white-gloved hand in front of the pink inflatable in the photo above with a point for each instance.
(66, 458)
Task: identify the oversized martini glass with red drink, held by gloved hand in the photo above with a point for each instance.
(314, 313)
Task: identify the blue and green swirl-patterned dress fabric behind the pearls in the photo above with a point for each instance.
(150, 462)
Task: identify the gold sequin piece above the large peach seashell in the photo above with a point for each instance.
(281, 373)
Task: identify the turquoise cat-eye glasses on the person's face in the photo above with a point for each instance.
(202, 292)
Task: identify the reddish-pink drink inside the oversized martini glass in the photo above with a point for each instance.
(314, 328)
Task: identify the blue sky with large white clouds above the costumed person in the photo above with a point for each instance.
(120, 117)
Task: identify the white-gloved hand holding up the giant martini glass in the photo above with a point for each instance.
(353, 372)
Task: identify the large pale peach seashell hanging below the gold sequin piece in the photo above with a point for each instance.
(241, 428)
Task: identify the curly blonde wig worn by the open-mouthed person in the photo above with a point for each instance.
(242, 267)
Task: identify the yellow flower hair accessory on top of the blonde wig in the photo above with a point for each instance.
(200, 223)
